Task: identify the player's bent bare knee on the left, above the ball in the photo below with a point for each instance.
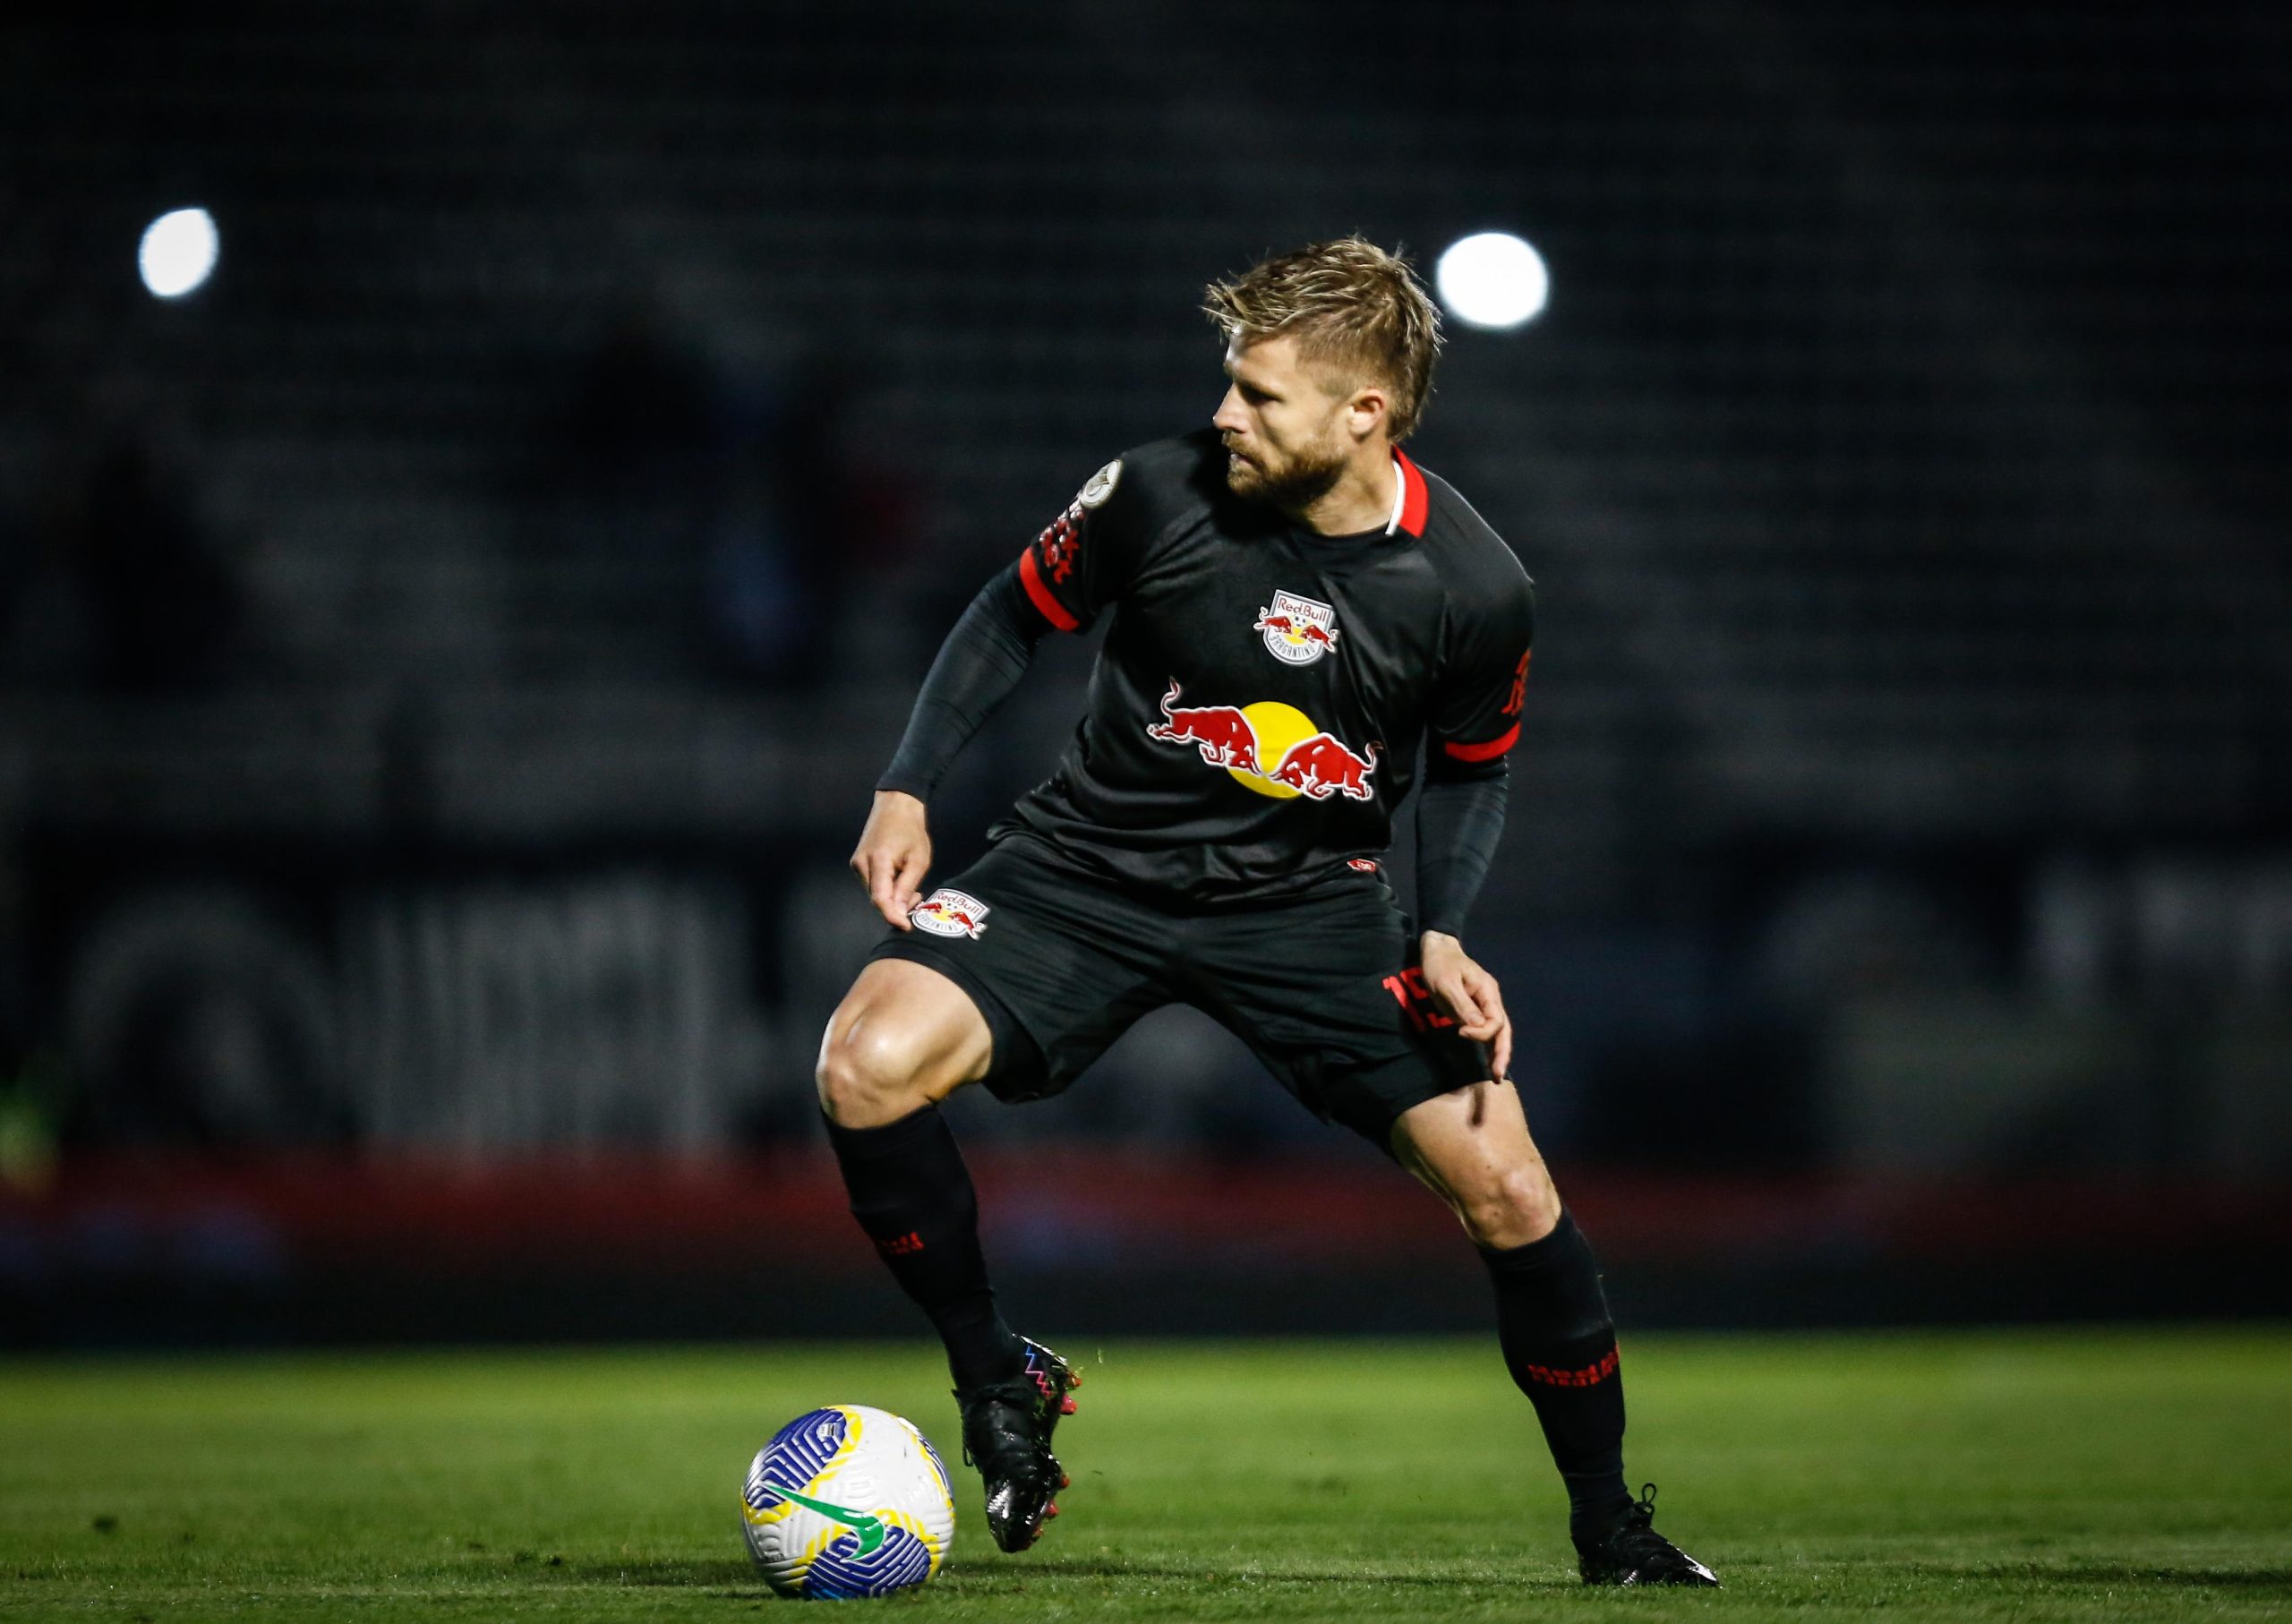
(904, 1036)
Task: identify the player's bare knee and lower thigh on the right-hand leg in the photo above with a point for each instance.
(1475, 1151)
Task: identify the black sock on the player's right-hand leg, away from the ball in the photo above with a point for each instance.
(1560, 1346)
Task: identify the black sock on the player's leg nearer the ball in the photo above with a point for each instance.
(916, 1199)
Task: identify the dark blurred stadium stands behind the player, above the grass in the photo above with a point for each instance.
(444, 661)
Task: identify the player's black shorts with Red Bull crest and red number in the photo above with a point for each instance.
(1324, 988)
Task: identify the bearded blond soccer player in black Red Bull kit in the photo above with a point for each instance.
(1296, 606)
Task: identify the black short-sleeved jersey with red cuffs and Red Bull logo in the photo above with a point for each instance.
(1259, 702)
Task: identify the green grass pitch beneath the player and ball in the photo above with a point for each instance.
(1986, 1476)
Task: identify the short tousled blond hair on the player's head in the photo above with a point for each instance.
(1344, 301)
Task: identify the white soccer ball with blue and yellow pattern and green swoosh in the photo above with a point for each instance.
(847, 1501)
